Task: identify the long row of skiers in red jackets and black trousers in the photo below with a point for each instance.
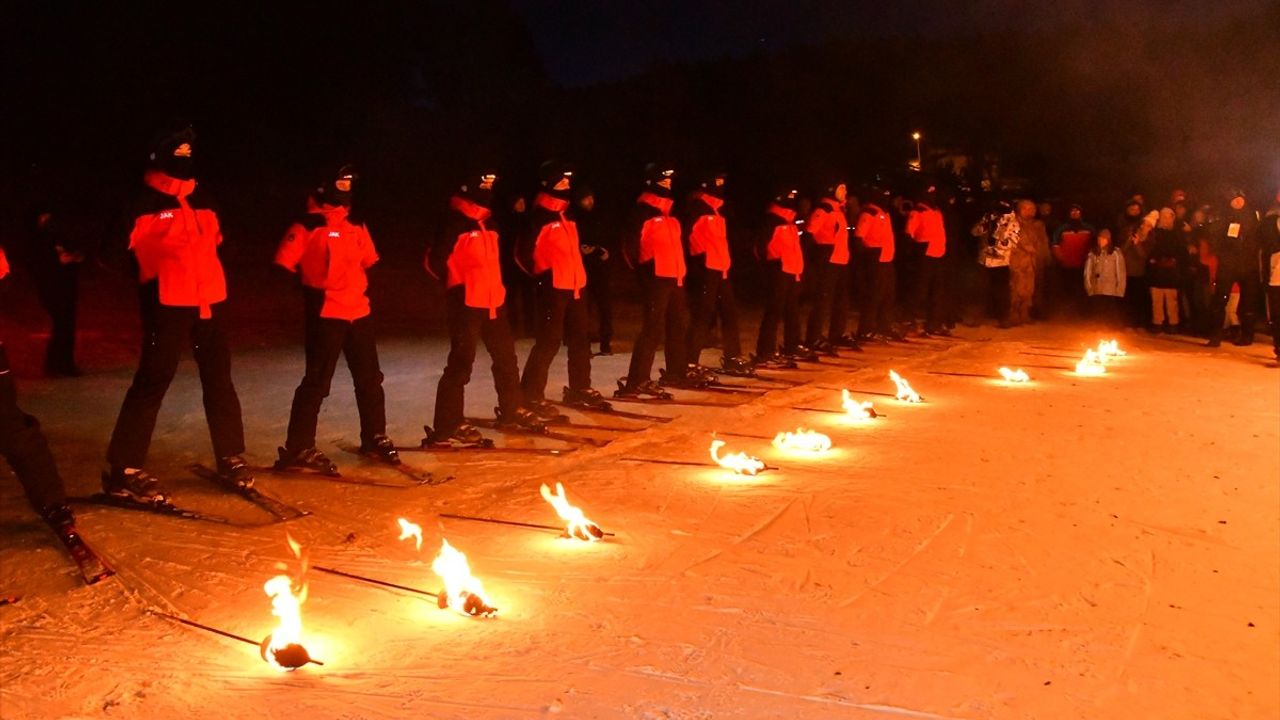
(176, 236)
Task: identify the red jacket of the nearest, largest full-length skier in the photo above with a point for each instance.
(176, 239)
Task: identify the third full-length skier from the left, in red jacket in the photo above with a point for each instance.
(468, 261)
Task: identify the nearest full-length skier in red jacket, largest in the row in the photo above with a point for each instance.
(181, 286)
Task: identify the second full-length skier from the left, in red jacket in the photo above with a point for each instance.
(332, 252)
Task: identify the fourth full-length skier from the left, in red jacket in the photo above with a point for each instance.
(552, 256)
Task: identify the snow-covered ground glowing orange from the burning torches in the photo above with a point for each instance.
(1077, 548)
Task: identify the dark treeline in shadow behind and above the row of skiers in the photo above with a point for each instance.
(419, 93)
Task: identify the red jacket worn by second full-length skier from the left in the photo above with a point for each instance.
(333, 254)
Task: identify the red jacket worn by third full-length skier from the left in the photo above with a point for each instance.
(473, 259)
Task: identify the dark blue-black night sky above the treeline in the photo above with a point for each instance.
(587, 42)
